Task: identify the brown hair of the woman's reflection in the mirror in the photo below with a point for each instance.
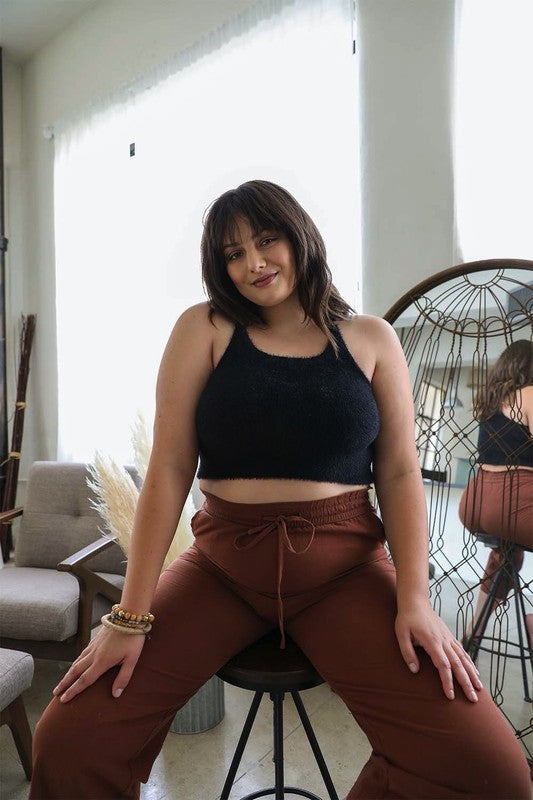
(512, 370)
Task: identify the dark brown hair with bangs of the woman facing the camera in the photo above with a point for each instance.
(268, 206)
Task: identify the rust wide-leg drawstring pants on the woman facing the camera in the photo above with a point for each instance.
(318, 570)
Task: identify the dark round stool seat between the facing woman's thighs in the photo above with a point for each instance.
(265, 667)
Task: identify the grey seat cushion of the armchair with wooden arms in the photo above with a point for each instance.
(42, 604)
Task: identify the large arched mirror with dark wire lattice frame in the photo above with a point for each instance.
(453, 328)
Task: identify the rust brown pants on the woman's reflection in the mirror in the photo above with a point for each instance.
(500, 504)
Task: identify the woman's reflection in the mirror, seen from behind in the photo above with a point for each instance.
(498, 500)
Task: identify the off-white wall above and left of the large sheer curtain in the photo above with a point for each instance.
(113, 44)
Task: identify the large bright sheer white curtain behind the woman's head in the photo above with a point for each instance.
(274, 98)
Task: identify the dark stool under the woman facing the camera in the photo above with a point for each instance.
(263, 667)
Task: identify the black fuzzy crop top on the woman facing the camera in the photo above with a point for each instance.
(267, 416)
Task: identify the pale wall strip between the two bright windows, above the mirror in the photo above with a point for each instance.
(406, 50)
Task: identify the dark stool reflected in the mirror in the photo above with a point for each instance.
(473, 643)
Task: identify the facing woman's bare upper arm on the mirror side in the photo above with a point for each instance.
(395, 450)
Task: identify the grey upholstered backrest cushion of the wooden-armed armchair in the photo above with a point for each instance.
(59, 519)
